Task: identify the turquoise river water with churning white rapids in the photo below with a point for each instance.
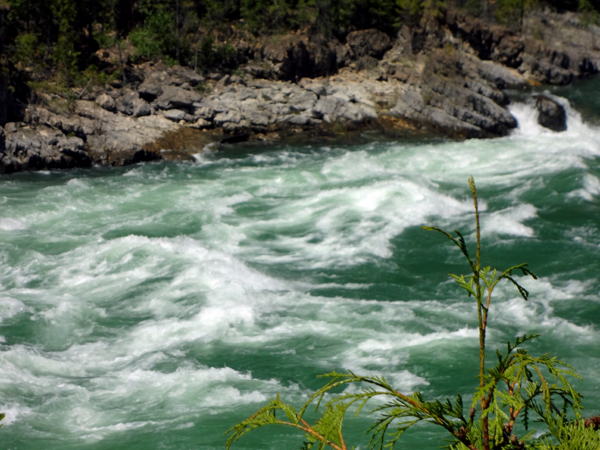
(154, 306)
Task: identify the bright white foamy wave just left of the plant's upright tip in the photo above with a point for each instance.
(351, 225)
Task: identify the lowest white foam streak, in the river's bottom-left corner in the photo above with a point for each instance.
(84, 394)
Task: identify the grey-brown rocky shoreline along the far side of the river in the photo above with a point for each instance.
(449, 77)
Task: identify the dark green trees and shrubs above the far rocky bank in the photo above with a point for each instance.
(62, 36)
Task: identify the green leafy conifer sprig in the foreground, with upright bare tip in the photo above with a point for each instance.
(518, 386)
